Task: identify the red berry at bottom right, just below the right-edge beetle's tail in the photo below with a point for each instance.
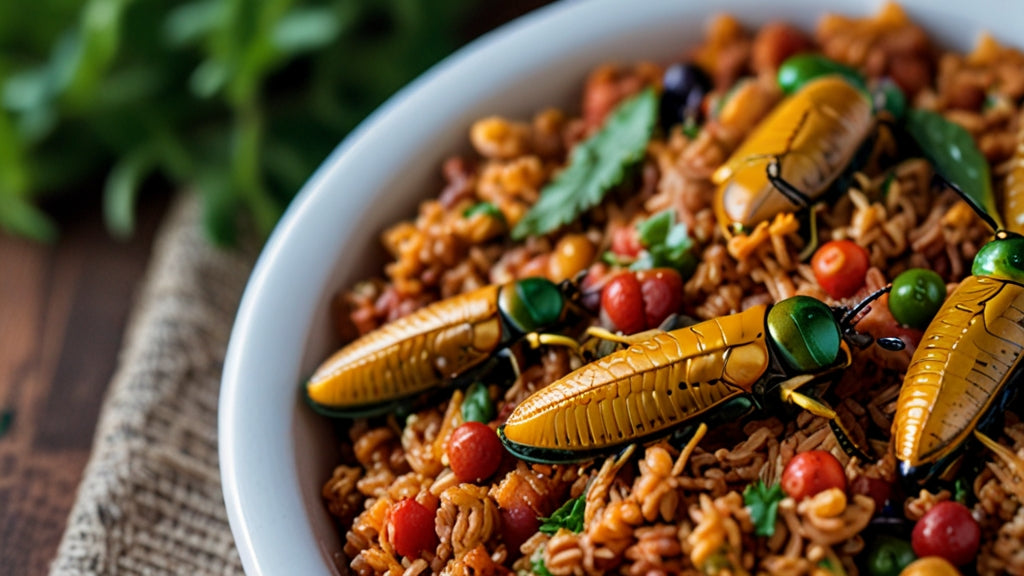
(948, 531)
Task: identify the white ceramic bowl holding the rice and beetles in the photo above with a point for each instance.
(275, 452)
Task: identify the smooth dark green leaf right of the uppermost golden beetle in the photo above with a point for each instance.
(957, 159)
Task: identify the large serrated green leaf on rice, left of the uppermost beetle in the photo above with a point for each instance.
(596, 166)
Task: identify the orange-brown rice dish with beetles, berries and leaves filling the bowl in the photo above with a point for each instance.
(757, 311)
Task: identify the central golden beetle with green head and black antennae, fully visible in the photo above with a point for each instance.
(718, 369)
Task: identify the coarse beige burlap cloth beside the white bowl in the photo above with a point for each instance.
(150, 502)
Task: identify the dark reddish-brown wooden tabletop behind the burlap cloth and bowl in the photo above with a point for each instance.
(63, 313)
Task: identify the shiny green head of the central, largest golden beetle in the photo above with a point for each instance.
(805, 333)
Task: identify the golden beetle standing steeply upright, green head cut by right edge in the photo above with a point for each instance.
(968, 365)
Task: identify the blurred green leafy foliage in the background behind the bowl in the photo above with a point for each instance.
(240, 100)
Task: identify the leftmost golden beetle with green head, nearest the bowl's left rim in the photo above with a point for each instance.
(439, 346)
